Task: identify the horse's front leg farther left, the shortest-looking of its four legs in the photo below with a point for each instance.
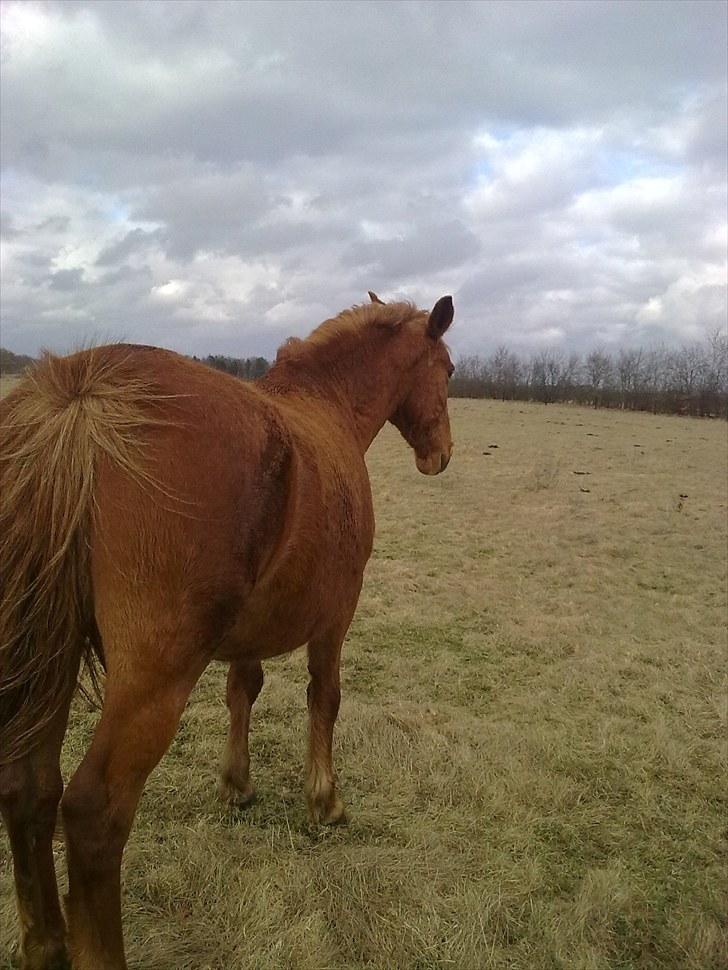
(245, 679)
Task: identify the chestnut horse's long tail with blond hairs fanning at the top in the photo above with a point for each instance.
(65, 413)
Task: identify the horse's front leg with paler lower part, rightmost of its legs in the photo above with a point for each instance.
(324, 694)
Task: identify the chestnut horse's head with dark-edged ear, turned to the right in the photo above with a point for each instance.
(421, 415)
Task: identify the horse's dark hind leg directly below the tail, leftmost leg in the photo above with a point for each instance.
(30, 790)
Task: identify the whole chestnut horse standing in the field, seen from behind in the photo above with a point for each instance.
(157, 515)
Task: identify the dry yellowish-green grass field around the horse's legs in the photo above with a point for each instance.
(532, 739)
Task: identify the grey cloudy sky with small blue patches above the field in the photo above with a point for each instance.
(213, 177)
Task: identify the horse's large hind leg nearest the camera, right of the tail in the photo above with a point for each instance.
(139, 720)
